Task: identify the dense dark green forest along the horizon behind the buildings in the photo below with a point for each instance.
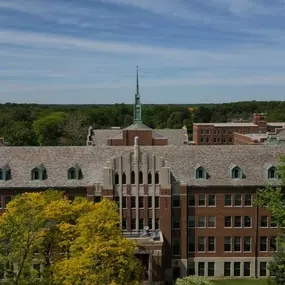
(50, 125)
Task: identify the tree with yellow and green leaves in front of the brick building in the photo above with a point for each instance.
(47, 239)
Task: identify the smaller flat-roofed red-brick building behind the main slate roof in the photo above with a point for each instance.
(223, 133)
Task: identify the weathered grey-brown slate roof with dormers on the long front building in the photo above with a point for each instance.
(181, 159)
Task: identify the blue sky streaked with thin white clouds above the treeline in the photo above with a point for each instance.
(188, 51)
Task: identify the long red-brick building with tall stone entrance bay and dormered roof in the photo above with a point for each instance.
(199, 199)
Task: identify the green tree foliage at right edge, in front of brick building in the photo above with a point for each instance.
(273, 199)
